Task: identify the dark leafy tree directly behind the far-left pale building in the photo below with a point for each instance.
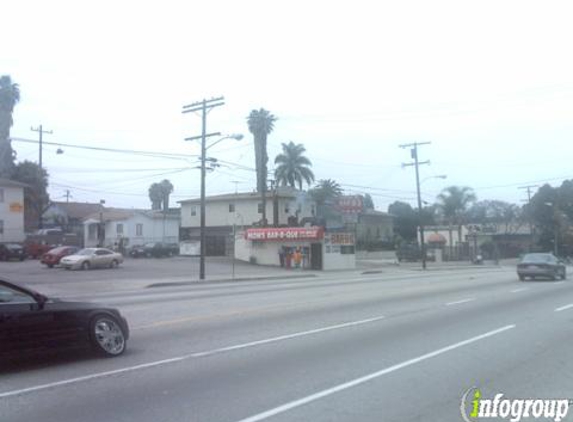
(36, 199)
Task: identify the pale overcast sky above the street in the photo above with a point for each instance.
(488, 83)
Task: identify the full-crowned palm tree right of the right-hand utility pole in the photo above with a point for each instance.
(453, 203)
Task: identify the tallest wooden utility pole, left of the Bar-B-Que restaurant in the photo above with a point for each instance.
(204, 107)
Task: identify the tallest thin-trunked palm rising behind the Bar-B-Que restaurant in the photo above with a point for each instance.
(261, 123)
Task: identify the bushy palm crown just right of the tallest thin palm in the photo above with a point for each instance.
(293, 166)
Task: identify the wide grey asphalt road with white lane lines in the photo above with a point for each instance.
(345, 347)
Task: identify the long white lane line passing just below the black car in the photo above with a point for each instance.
(184, 357)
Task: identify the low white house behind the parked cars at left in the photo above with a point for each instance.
(131, 227)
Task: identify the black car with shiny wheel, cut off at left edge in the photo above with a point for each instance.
(32, 322)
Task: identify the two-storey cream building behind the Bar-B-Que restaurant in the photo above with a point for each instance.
(230, 212)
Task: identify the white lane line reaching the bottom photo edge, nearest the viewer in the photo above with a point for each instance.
(324, 393)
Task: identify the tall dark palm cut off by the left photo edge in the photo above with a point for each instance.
(9, 97)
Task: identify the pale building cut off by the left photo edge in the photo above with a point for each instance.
(11, 211)
